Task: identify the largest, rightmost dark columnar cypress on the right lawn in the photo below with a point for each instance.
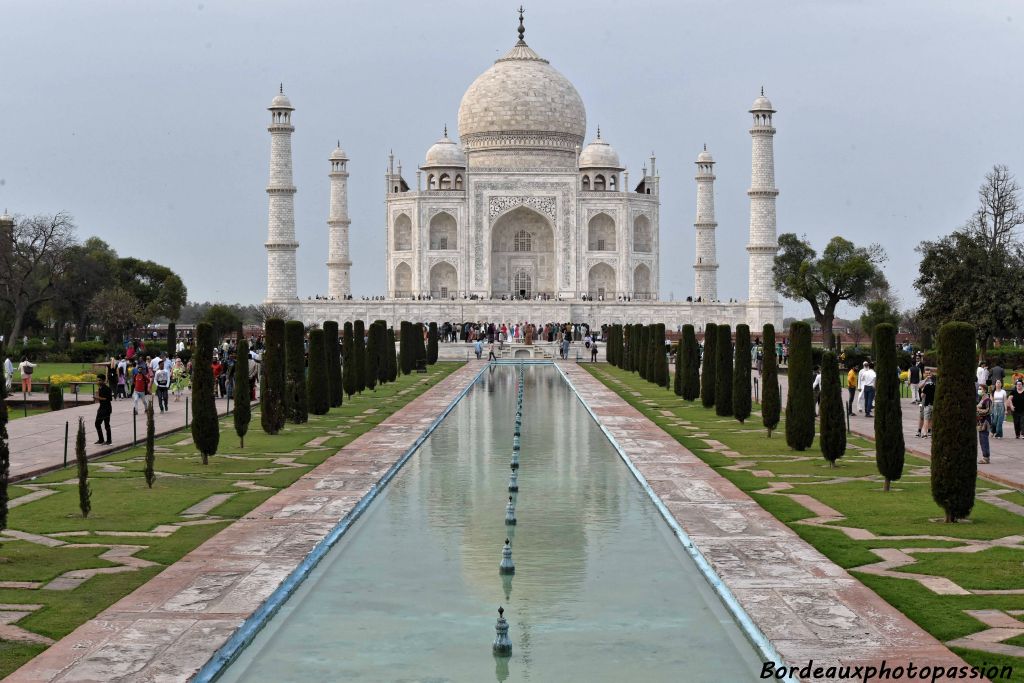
(955, 435)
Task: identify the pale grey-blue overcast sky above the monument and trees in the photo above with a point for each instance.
(147, 121)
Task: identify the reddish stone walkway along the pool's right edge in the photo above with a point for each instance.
(809, 608)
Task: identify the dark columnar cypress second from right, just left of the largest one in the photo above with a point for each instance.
(889, 446)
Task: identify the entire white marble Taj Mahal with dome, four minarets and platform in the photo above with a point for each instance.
(516, 219)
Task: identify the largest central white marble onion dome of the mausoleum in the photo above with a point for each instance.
(522, 102)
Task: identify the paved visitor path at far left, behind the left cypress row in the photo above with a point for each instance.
(37, 443)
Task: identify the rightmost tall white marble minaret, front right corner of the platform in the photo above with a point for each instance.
(763, 243)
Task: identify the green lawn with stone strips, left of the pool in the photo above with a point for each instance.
(122, 503)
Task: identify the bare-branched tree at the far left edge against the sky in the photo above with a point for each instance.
(33, 258)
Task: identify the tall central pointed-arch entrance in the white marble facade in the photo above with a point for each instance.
(523, 255)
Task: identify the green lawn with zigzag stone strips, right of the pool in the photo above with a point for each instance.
(909, 510)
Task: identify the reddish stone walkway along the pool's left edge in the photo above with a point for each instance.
(170, 627)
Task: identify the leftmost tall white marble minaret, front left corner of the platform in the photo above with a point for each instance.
(281, 244)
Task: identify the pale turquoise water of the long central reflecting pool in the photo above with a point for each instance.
(603, 590)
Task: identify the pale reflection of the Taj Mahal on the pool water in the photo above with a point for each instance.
(563, 497)
